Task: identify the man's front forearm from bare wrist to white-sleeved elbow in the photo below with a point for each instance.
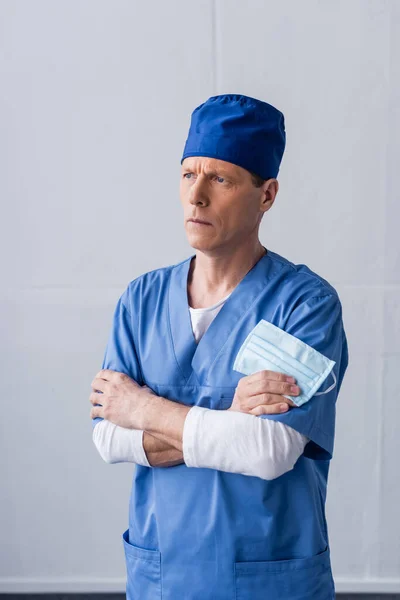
(227, 441)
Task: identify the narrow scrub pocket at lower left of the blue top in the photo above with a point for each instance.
(143, 569)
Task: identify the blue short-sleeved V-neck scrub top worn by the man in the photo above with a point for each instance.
(202, 533)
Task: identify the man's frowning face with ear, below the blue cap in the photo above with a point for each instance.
(223, 195)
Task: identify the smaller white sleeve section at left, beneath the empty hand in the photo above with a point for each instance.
(117, 444)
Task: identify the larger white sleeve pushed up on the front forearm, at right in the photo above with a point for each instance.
(240, 443)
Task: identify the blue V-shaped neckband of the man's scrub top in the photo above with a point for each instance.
(195, 359)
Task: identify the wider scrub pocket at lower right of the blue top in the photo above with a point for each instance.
(294, 579)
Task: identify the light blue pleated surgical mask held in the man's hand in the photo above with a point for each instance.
(269, 347)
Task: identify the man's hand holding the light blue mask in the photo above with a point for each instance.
(261, 393)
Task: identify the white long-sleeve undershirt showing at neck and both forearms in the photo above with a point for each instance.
(225, 440)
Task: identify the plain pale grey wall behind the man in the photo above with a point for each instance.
(95, 106)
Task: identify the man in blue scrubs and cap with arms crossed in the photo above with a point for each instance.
(228, 494)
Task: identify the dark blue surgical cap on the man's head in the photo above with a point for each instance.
(239, 129)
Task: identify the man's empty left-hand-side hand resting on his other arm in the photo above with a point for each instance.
(122, 400)
